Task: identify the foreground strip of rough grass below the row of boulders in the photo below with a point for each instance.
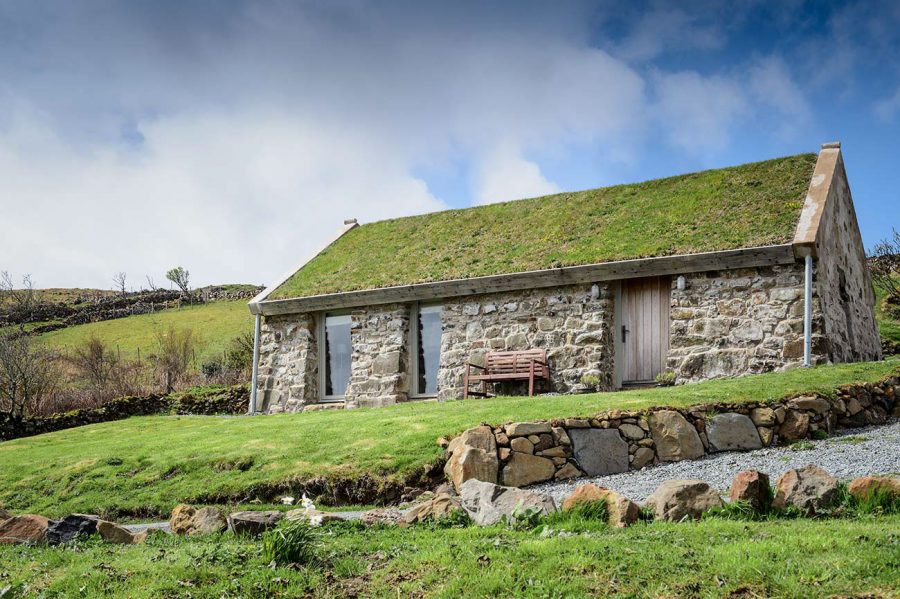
(711, 558)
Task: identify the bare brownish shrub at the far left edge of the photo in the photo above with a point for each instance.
(28, 374)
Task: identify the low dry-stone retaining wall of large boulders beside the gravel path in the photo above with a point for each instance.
(525, 453)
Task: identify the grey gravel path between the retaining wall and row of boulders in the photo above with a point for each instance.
(852, 453)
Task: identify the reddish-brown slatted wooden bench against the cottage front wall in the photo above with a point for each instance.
(527, 365)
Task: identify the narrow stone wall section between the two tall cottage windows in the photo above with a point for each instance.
(380, 361)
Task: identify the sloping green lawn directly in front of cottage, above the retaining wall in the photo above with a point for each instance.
(146, 465)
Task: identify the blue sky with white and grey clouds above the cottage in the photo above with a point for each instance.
(233, 138)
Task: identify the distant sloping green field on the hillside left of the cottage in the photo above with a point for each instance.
(215, 324)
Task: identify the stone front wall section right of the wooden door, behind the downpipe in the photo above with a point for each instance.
(740, 321)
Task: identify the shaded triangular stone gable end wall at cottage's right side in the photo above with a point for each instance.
(843, 281)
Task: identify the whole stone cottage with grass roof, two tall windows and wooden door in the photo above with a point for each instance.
(725, 272)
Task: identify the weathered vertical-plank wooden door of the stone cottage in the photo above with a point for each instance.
(644, 334)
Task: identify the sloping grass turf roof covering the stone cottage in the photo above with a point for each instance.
(750, 205)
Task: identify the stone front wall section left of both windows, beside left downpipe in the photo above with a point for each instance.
(288, 363)
